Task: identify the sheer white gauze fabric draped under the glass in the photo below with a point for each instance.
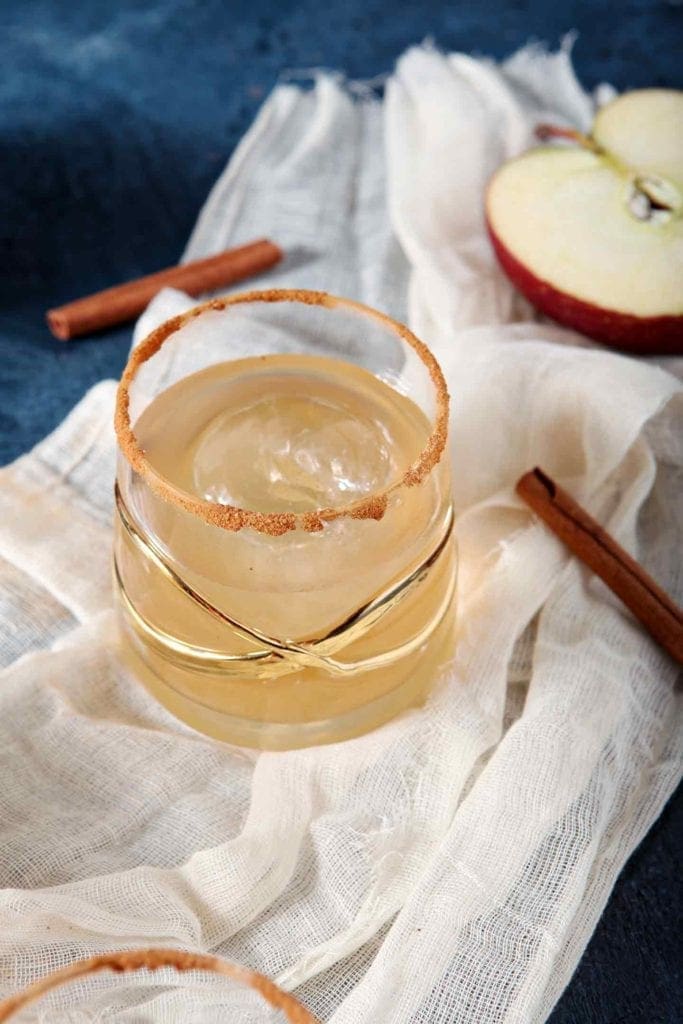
(451, 867)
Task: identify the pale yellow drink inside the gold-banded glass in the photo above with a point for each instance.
(286, 434)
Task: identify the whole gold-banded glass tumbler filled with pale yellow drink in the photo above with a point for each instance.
(284, 559)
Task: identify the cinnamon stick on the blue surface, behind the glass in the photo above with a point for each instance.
(124, 303)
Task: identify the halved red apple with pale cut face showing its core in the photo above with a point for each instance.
(592, 234)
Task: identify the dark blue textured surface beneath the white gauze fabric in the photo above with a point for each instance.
(114, 126)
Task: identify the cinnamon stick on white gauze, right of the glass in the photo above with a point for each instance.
(600, 551)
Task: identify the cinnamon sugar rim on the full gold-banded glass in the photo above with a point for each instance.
(232, 518)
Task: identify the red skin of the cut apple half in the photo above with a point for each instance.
(642, 335)
